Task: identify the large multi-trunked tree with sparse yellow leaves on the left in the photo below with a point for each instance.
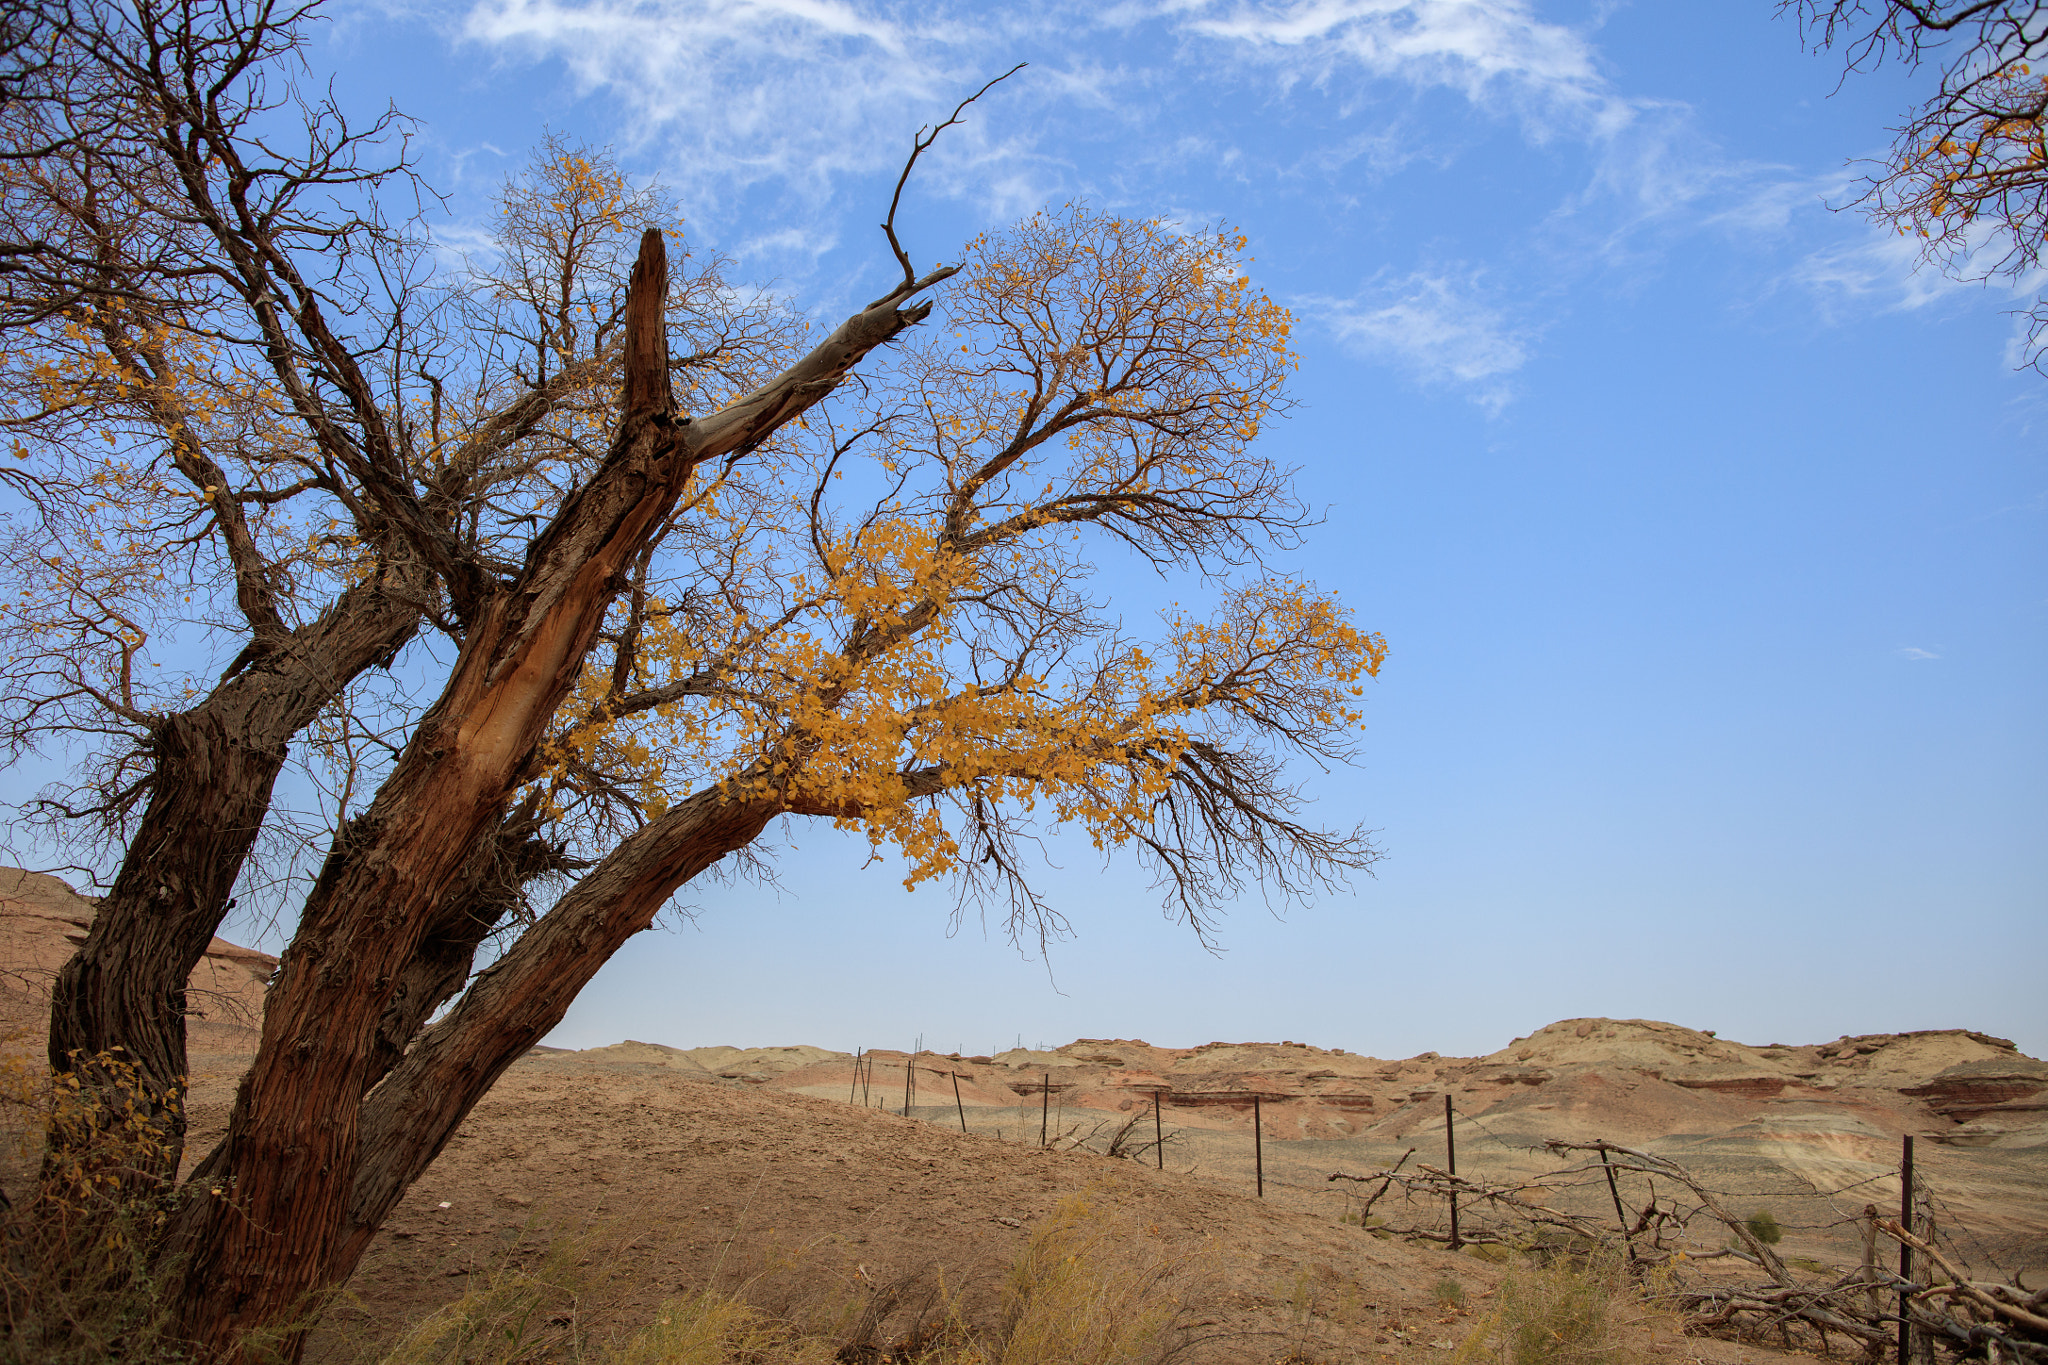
(568, 619)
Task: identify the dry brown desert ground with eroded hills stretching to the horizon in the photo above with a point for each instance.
(796, 1165)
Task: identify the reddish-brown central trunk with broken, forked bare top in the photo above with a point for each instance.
(294, 1141)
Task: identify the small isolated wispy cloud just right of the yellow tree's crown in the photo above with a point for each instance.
(1435, 326)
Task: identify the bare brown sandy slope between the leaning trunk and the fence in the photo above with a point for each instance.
(714, 1180)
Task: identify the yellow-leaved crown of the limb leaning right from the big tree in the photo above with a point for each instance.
(859, 654)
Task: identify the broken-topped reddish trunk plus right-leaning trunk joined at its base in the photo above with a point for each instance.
(296, 1161)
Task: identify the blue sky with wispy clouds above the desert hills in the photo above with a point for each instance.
(1707, 535)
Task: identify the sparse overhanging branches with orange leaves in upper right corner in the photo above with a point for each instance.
(1969, 169)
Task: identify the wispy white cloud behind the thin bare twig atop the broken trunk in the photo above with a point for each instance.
(753, 105)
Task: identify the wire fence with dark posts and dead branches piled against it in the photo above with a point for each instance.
(1476, 1186)
